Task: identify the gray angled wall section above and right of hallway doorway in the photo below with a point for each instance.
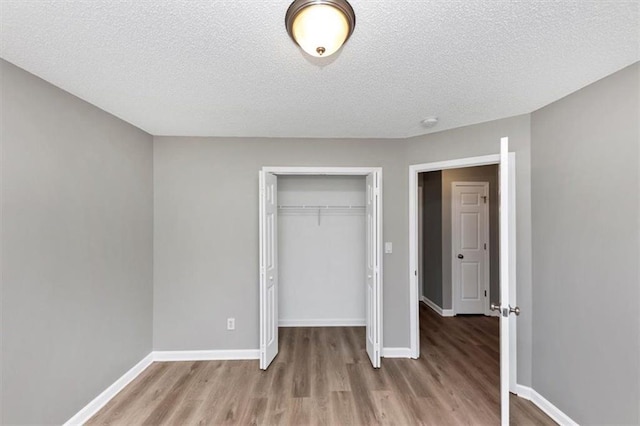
(484, 139)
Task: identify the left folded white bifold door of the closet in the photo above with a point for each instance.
(268, 268)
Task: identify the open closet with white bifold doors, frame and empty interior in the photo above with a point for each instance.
(320, 253)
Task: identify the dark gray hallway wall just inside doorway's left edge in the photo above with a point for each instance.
(432, 236)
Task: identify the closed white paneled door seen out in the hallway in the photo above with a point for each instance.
(470, 236)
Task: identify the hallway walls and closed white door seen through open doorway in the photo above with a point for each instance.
(458, 249)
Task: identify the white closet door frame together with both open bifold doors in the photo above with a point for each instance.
(269, 254)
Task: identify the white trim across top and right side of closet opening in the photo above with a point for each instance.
(350, 171)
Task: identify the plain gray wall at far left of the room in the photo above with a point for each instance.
(76, 249)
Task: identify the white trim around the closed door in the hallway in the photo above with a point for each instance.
(486, 258)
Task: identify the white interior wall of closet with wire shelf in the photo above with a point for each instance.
(321, 245)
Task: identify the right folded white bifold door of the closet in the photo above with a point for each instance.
(373, 269)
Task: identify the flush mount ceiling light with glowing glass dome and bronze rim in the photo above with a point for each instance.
(320, 27)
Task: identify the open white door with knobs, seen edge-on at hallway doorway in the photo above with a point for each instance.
(507, 278)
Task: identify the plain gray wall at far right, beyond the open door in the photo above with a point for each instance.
(585, 197)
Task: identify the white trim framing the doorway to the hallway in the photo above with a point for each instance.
(414, 291)
